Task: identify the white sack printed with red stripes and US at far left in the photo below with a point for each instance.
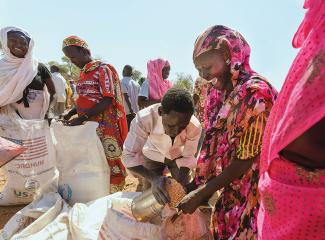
(34, 171)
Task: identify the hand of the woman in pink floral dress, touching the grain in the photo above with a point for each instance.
(191, 202)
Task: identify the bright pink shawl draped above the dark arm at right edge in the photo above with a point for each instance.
(301, 102)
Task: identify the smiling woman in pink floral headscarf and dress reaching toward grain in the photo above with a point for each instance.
(236, 115)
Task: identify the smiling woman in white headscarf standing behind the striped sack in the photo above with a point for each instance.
(25, 84)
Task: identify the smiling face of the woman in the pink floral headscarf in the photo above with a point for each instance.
(211, 65)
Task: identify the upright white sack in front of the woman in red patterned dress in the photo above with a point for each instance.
(81, 161)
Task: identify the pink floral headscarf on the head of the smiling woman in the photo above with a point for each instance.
(219, 37)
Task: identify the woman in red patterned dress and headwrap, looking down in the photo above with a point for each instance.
(100, 99)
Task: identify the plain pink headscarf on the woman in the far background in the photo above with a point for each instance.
(157, 85)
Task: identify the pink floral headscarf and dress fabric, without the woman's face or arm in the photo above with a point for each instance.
(234, 127)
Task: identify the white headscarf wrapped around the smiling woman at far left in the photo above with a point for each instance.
(15, 73)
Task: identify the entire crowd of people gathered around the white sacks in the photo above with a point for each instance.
(263, 151)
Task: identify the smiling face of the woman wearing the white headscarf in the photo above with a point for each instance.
(18, 44)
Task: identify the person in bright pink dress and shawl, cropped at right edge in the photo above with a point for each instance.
(292, 182)
